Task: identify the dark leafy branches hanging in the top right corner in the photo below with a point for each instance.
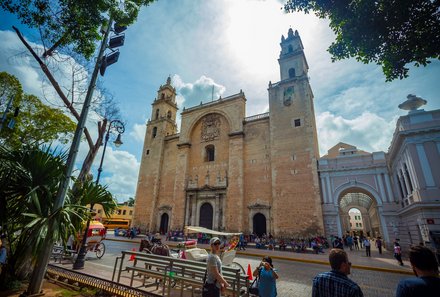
(390, 33)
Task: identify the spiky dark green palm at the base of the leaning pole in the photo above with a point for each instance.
(29, 179)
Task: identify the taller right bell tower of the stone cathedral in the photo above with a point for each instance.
(294, 145)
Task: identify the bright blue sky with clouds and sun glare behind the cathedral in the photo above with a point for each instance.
(232, 45)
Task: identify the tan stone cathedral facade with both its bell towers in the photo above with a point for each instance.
(227, 171)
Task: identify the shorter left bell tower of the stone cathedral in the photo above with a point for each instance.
(161, 124)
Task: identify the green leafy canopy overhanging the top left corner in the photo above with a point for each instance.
(73, 23)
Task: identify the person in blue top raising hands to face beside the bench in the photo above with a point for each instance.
(267, 286)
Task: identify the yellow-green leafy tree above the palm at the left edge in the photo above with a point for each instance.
(36, 122)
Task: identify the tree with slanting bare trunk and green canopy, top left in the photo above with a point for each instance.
(72, 26)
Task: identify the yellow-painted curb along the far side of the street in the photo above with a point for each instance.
(371, 268)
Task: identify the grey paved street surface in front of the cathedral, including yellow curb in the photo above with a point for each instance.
(377, 276)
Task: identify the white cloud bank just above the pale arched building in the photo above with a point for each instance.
(368, 131)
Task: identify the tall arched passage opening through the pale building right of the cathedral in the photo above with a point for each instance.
(368, 221)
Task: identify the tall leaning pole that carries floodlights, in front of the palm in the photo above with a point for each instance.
(43, 258)
